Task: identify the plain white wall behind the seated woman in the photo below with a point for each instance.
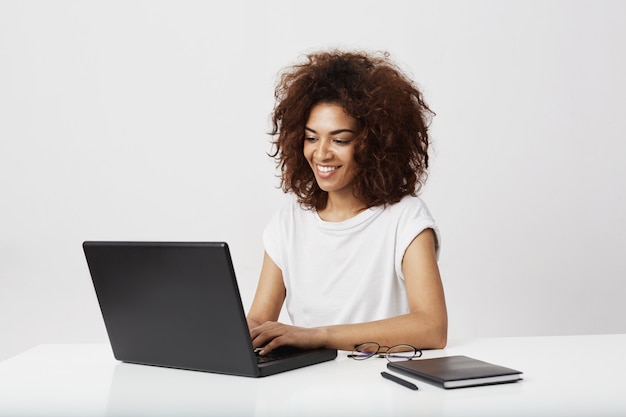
(146, 120)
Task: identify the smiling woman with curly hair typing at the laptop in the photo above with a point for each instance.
(355, 255)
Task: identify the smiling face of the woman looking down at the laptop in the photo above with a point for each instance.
(329, 147)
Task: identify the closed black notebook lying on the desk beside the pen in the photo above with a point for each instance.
(456, 371)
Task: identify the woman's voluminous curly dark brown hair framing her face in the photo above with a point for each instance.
(391, 149)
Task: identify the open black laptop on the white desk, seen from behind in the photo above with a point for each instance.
(177, 305)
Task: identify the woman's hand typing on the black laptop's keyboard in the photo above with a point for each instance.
(271, 335)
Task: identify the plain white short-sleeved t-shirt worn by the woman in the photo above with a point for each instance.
(349, 271)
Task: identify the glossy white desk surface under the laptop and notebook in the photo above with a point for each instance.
(568, 376)
